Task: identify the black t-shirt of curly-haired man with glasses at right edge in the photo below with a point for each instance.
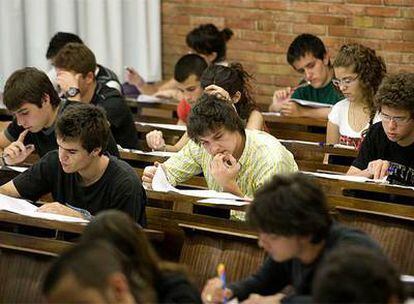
(376, 145)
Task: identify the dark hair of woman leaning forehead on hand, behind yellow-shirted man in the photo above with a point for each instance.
(233, 79)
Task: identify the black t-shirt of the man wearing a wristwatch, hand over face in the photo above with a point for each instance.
(119, 115)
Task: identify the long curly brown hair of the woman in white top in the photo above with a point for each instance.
(369, 67)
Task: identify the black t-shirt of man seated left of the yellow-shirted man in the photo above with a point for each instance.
(118, 188)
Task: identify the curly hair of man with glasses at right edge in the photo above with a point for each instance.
(397, 91)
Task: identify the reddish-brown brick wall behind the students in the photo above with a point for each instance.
(263, 31)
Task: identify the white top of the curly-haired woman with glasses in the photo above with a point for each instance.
(339, 117)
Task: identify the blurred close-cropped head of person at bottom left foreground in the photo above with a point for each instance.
(94, 272)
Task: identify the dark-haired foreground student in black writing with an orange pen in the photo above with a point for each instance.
(295, 229)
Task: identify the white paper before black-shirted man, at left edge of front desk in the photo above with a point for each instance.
(25, 208)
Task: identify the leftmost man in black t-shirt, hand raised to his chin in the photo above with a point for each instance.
(30, 96)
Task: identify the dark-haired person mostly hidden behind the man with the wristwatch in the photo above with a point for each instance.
(103, 74)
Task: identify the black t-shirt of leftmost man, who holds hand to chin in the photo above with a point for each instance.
(45, 140)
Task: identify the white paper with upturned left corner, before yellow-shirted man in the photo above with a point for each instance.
(161, 183)
